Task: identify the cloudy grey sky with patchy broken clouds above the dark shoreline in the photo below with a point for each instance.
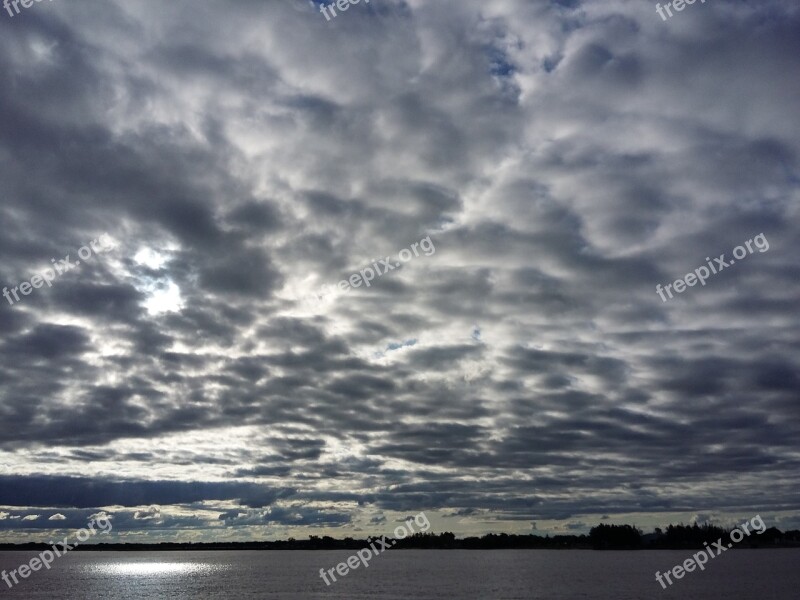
(564, 157)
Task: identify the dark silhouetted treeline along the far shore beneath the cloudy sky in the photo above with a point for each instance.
(602, 537)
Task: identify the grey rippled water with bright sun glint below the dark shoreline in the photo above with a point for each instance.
(403, 574)
